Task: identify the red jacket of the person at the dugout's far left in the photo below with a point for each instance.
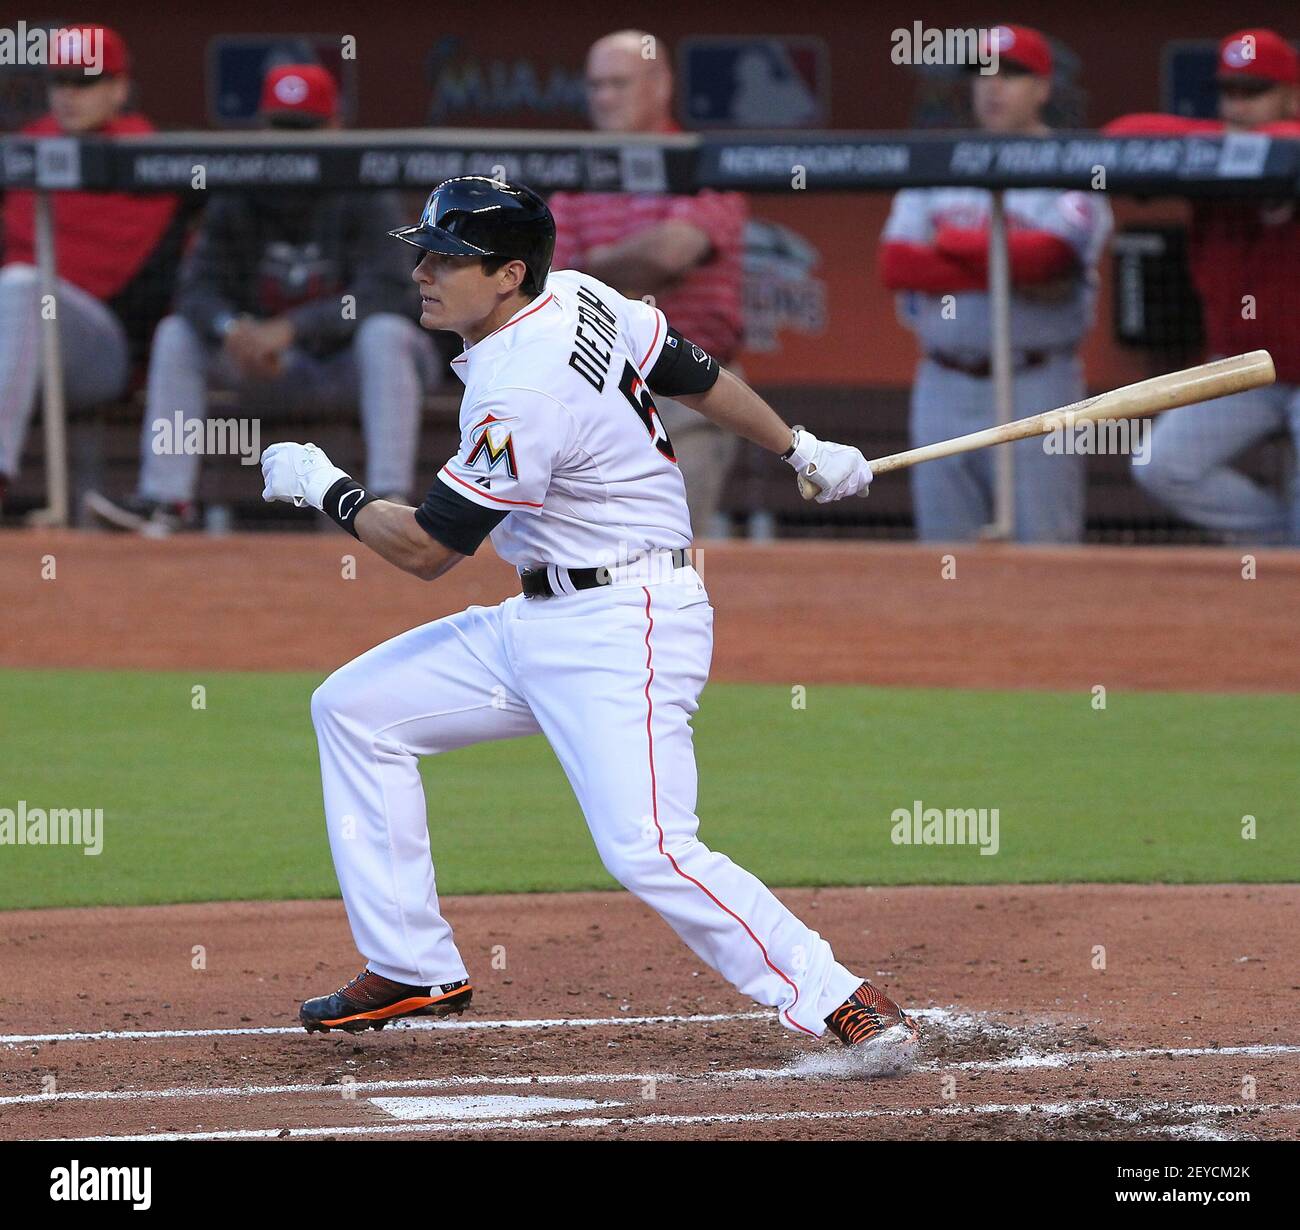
(102, 240)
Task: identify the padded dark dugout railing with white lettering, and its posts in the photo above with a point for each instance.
(1158, 318)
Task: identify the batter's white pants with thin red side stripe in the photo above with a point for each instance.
(610, 677)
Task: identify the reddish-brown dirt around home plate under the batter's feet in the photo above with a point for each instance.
(1188, 1032)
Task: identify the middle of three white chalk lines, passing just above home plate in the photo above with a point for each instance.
(803, 1069)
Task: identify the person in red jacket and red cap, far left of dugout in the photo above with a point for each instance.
(116, 253)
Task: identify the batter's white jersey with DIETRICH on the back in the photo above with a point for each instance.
(560, 431)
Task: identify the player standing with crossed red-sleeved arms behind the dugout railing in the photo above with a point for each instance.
(935, 253)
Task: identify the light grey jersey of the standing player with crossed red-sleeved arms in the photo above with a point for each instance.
(1084, 220)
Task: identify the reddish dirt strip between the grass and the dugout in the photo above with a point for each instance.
(834, 613)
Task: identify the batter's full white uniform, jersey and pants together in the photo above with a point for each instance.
(560, 439)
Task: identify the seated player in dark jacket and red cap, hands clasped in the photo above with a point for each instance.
(292, 301)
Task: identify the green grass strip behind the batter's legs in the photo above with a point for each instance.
(226, 803)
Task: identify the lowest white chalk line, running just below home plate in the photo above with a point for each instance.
(1124, 1111)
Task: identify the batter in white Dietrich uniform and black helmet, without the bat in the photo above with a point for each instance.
(565, 462)
